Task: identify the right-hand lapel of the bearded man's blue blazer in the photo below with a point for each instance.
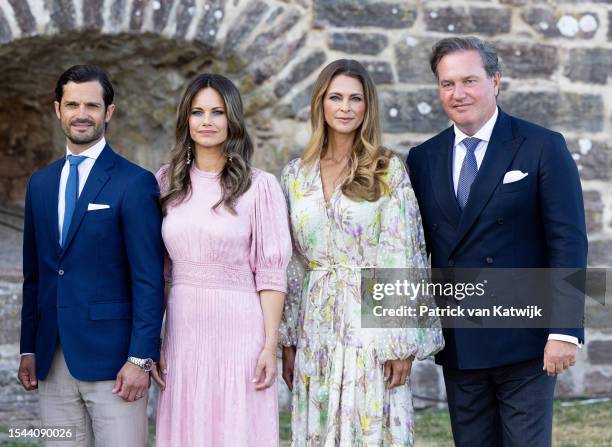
(97, 178)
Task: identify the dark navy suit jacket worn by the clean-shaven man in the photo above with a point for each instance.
(537, 222)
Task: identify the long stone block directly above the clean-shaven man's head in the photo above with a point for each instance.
(464, 20)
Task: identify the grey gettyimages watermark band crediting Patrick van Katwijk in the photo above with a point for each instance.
(486, 298)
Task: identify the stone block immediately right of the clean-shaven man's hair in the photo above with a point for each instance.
(522, 60)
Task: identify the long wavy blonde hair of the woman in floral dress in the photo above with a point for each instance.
(369, 161)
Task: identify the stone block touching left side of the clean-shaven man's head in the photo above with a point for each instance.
(412, 60)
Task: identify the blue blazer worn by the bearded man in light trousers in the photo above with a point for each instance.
(102, 293)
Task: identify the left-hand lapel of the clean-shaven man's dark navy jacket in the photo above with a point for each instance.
(443, 178)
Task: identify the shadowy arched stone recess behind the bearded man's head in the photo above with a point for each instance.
(149, 73)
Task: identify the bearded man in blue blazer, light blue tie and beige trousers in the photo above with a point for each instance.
(93, 276)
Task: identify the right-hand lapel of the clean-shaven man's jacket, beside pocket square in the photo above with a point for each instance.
(500, 153)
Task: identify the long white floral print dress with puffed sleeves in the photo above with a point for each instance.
(339, 393)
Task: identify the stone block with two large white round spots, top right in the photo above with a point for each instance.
(554, 23)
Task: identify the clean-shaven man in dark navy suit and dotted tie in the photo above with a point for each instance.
(496, 191)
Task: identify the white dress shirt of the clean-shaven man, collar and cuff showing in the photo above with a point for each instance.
(459, 151)
